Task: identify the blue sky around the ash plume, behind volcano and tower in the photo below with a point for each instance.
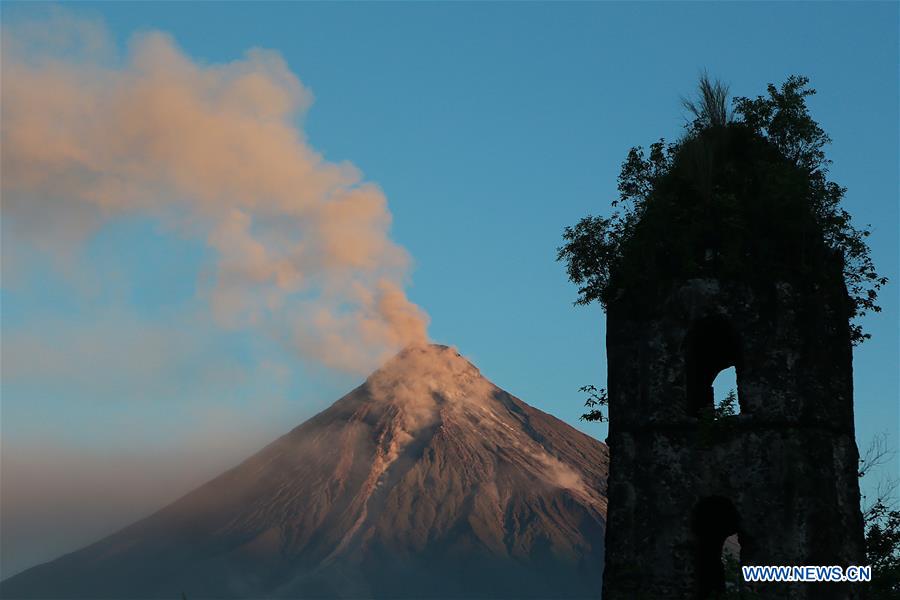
(489, 128)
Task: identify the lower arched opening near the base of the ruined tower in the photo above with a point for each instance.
(714, 521)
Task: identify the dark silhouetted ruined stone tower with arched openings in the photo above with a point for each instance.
(728, 268)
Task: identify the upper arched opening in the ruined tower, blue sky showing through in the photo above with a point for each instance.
(712, 346)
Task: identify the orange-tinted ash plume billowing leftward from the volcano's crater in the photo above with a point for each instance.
(302, 245)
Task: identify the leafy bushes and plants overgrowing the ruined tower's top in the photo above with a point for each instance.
(781, 146)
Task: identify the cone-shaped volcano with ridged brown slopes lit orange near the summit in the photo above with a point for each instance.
(427, 481)
